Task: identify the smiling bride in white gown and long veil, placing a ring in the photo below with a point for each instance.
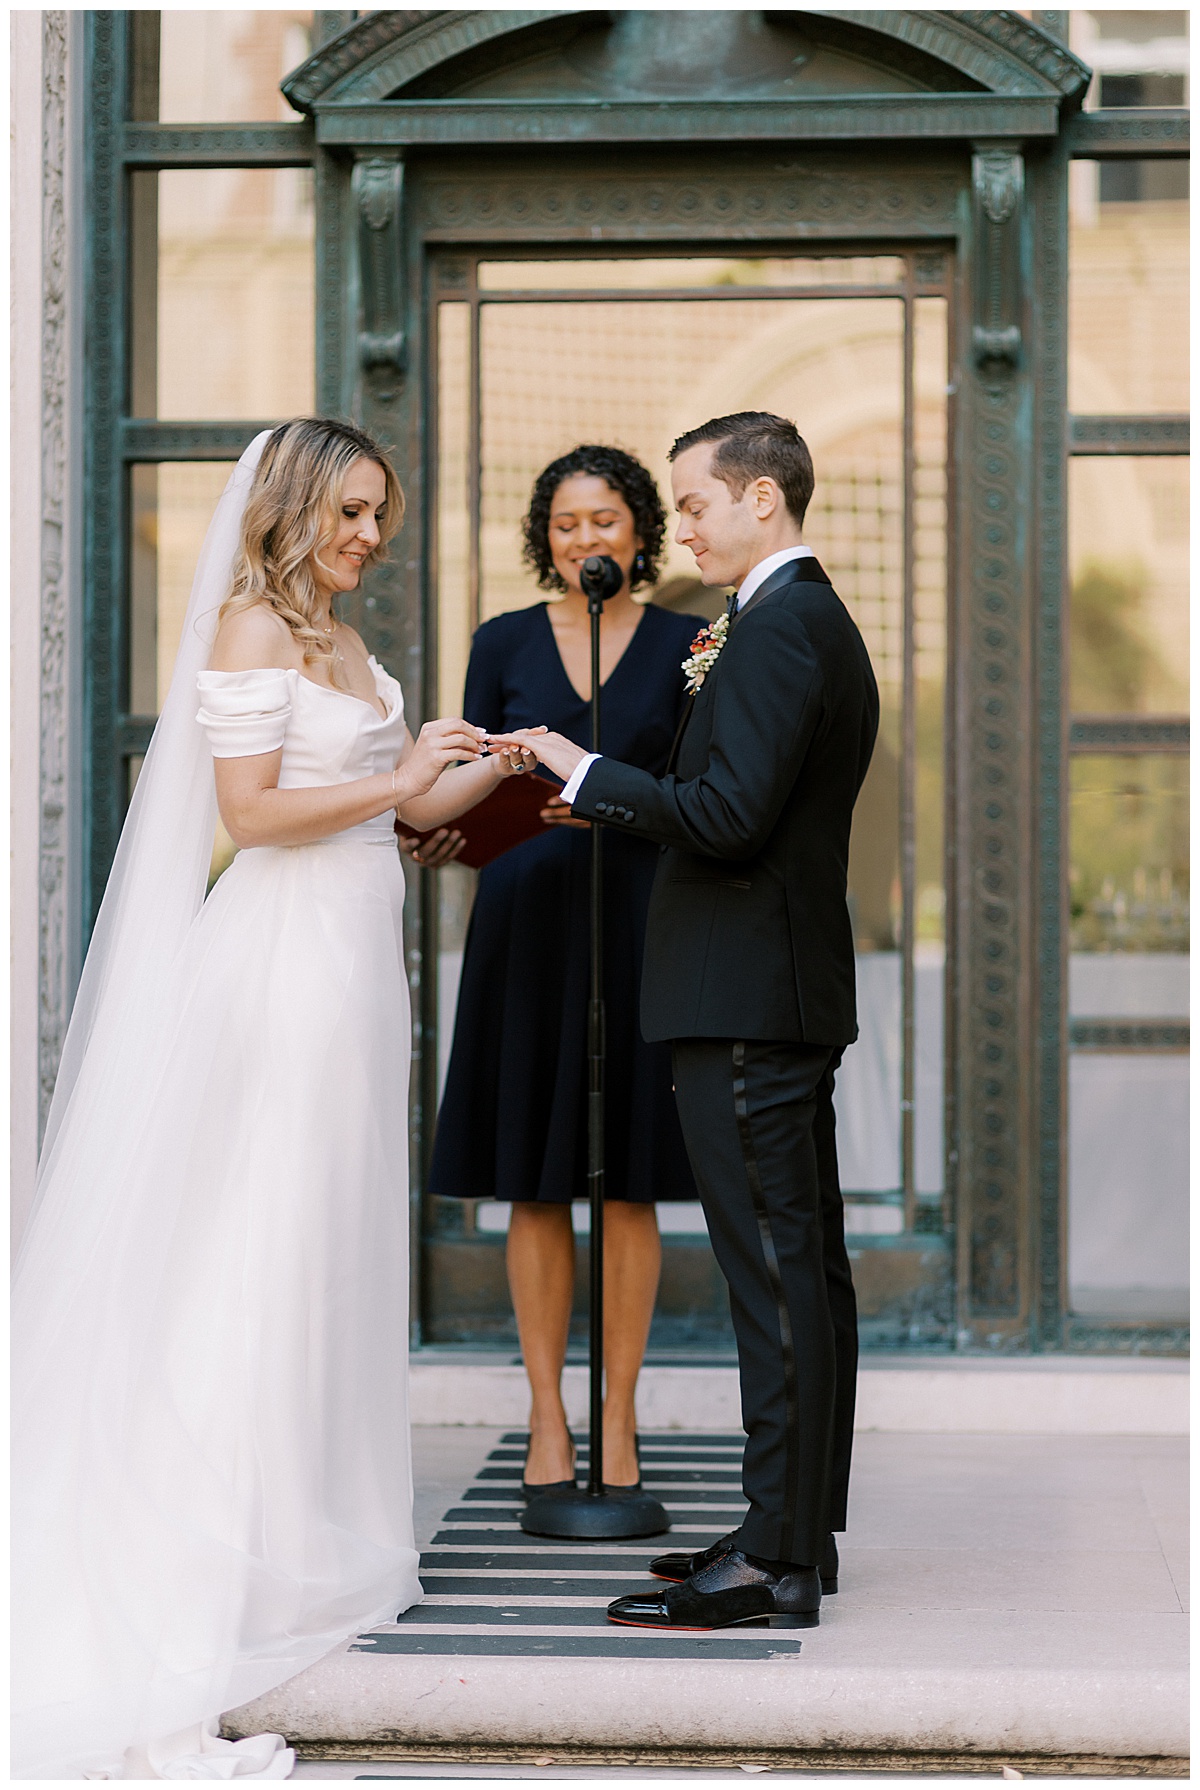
(212, 1479)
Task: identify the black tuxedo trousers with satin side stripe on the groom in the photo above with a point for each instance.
(759, 1125)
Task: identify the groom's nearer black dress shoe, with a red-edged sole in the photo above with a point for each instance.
(728, 1592)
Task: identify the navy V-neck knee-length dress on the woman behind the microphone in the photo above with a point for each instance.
(513, 1121)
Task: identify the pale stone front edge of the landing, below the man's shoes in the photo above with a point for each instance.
(787, 1705)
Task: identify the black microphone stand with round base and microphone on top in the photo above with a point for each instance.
(596, 1513)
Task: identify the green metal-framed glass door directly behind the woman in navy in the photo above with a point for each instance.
(531, 355)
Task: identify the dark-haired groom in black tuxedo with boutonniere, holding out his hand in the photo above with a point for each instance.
(750, 971)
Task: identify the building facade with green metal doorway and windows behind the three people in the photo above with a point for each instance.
(954, 246)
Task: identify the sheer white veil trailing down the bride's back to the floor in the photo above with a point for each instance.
(71, 1383)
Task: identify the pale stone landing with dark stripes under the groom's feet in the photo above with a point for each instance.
(1006, 1599)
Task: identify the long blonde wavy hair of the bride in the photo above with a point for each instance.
(293, 515)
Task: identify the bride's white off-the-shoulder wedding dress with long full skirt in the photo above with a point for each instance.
(212, 1474)
